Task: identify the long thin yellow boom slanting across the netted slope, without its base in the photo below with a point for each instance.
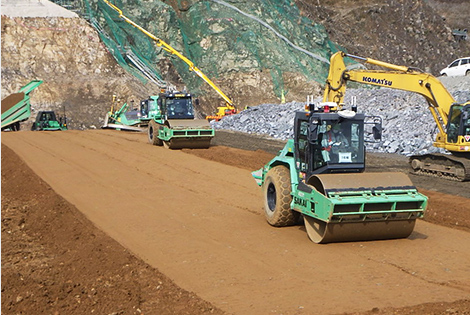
(160, 43)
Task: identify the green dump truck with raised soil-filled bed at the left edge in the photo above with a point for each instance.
(16, 107)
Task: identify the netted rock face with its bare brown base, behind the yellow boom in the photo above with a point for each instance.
(255, 51)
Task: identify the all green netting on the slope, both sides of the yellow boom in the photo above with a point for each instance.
(222, 38)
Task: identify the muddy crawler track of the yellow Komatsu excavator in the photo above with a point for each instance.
(441, 165)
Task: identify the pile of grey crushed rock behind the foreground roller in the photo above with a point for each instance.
(408, 126)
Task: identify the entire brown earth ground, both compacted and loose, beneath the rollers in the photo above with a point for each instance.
(102, 222)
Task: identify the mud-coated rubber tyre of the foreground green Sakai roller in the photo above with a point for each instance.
(277, 198)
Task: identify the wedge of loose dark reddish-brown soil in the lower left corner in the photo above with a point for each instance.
(55, 261)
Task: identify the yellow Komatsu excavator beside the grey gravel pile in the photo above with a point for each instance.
(452, 119)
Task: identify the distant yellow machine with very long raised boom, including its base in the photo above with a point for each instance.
(229, 107)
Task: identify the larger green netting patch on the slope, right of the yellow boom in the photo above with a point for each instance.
(241, 40)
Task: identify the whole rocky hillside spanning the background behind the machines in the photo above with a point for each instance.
(250, 62)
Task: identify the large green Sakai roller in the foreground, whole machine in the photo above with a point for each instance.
(318, 178)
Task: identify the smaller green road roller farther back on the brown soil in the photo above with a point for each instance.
(172, 123)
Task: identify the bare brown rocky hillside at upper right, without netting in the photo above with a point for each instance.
(403, 32)
